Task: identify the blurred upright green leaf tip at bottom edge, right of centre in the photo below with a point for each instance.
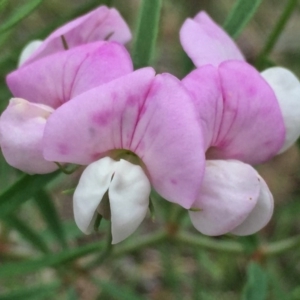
(257, 283)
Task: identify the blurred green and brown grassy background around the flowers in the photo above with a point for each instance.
(44, 256)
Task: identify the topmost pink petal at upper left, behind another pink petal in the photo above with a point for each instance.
(94, 26)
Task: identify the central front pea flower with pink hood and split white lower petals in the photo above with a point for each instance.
(137, 131)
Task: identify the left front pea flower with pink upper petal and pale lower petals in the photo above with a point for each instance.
(45, 84)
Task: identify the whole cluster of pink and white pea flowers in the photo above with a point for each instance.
(78, 100)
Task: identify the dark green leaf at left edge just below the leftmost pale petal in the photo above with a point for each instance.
(24, 189)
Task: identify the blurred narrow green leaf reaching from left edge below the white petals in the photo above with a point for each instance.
(51, 260)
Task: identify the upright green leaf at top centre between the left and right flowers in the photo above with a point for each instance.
(146, 34)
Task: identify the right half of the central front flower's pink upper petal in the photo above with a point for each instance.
(169, 140)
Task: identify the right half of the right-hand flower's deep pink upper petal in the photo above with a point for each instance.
(252, 128)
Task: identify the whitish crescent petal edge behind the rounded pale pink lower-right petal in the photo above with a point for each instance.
(260, 215)
